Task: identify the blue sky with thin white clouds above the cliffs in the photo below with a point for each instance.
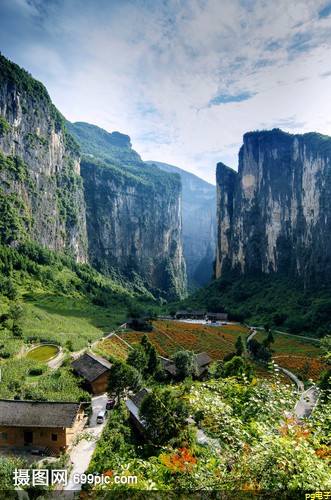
(185, 79)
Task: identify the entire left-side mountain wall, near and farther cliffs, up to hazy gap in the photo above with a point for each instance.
(108, 209)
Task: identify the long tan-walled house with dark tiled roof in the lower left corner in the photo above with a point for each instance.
(40, 426)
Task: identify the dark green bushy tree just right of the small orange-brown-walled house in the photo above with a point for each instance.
(123, 378)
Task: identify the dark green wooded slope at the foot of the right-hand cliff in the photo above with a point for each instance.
(274, 299)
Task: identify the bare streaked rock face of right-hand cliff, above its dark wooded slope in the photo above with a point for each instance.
(275, 214)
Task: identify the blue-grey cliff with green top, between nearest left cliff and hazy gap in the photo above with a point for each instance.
(133, 212)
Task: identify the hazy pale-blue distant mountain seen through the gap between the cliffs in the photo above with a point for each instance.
(199, 224)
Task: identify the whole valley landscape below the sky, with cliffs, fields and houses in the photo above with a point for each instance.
(98, 252)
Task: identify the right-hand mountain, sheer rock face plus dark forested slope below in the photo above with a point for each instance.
(273, 263)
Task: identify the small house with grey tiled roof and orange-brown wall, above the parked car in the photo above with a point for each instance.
(94, 370)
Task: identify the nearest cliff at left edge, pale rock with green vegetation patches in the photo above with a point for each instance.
(41, 192)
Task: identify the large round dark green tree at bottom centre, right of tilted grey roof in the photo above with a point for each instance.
(164, 416)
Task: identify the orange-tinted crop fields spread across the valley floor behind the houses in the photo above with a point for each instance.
(301, 356)
